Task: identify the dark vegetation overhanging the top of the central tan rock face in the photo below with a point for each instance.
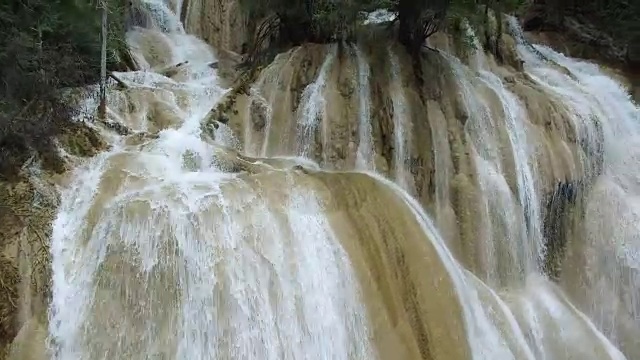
(279, 24)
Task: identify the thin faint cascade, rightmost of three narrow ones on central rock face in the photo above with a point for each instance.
(401, 126)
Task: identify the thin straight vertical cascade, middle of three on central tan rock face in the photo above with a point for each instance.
(365, 156)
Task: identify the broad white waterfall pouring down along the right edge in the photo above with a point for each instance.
(608, 124)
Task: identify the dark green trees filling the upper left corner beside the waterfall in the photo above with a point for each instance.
(46, 45)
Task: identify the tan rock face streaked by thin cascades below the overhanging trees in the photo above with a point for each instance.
(439, 154)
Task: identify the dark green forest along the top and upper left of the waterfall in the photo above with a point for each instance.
(52, 44)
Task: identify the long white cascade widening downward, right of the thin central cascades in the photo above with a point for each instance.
(502, 244)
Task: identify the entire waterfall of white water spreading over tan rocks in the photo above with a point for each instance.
(176, 244)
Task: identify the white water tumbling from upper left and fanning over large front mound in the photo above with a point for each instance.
(156, 253)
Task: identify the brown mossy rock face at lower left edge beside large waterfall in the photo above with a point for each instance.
(28, 208)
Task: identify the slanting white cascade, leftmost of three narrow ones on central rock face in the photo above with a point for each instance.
(312, 105)
